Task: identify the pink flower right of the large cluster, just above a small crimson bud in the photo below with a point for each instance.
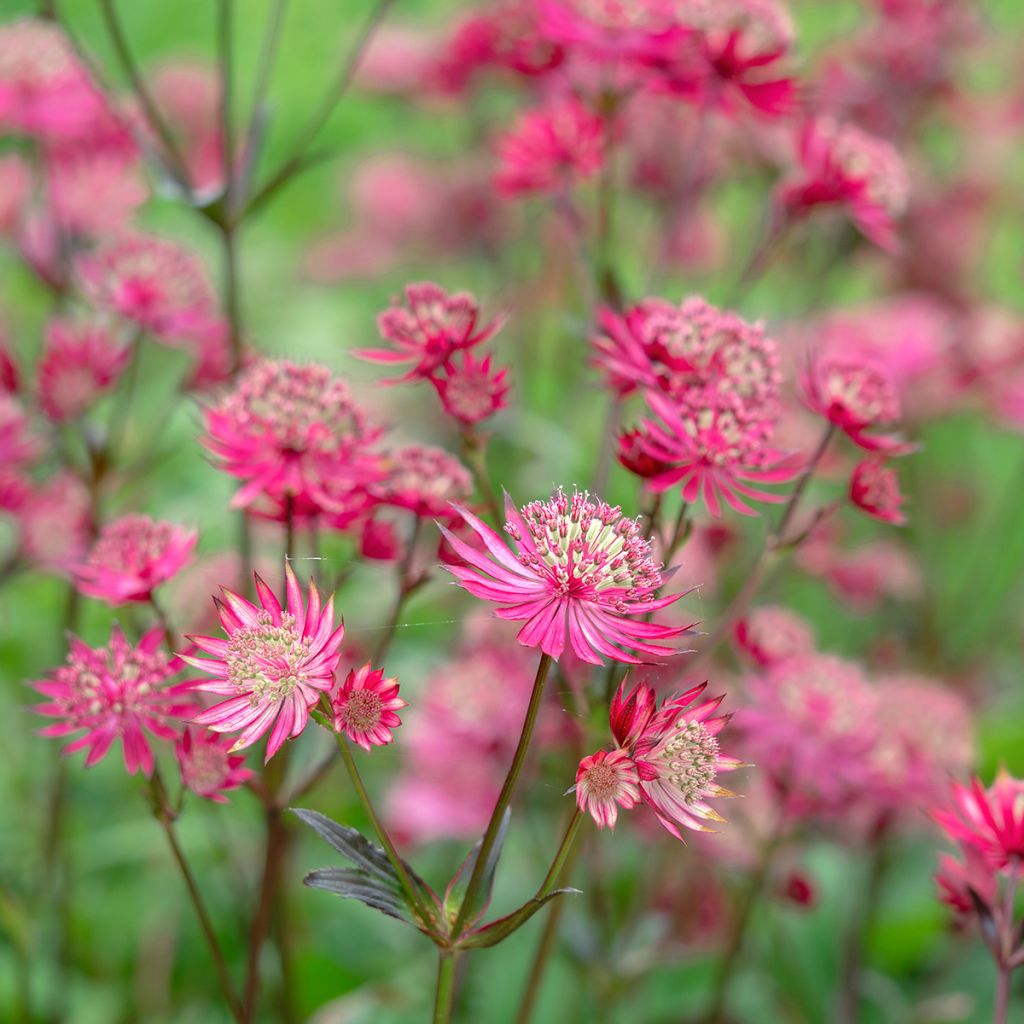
(855, 396)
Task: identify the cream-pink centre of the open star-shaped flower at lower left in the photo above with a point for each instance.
(268, 661)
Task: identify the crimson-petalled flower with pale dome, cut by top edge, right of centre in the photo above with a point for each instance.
(724, 57)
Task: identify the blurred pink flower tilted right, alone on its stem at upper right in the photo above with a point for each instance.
(844, 166)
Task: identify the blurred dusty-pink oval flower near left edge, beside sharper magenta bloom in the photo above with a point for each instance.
(56, 525)
